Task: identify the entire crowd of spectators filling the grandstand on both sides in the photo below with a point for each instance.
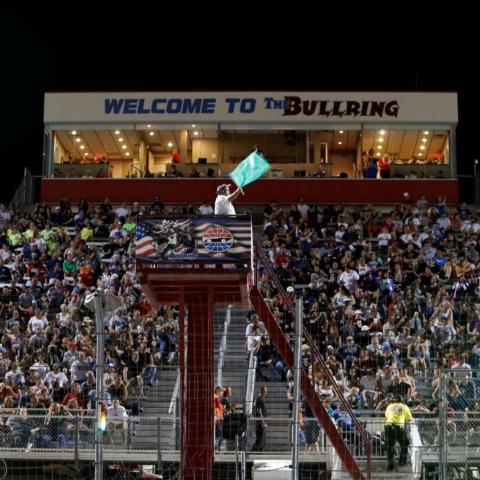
(390, 298)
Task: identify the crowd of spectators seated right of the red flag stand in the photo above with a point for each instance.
(390, 298)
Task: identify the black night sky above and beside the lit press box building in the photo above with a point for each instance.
(114, 48)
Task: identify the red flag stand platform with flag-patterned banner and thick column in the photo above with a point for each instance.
(196, 263)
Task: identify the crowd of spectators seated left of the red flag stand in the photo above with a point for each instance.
(50, 260)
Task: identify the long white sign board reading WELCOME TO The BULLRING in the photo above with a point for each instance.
(249, 107)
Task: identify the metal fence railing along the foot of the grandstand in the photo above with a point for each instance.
(150, 439)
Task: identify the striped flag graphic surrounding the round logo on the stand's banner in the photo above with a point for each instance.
(242, 239)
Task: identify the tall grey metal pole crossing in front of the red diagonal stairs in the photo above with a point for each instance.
(296, 385)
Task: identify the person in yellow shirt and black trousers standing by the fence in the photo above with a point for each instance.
(396, 414)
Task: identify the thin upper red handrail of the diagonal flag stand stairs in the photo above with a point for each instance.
(315, 353)
